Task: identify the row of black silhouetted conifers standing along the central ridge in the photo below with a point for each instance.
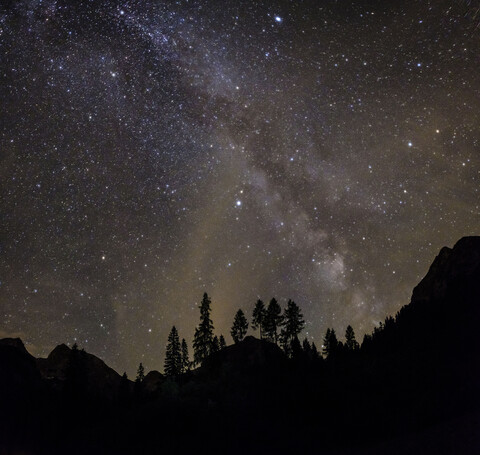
(275, 326)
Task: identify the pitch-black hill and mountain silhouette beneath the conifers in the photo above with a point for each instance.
(413, 387)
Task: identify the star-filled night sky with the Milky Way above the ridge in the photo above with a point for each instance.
(150, 151)
